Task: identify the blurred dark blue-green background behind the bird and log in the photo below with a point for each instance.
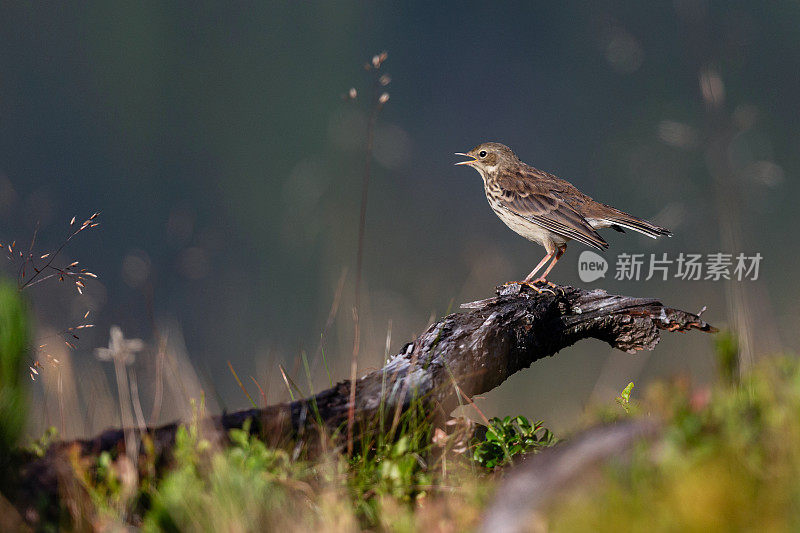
(215, 139)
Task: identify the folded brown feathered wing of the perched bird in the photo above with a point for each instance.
(544, 206)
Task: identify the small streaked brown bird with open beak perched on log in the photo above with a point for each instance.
(544, 208)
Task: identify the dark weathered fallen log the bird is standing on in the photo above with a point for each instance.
(466, 353)
